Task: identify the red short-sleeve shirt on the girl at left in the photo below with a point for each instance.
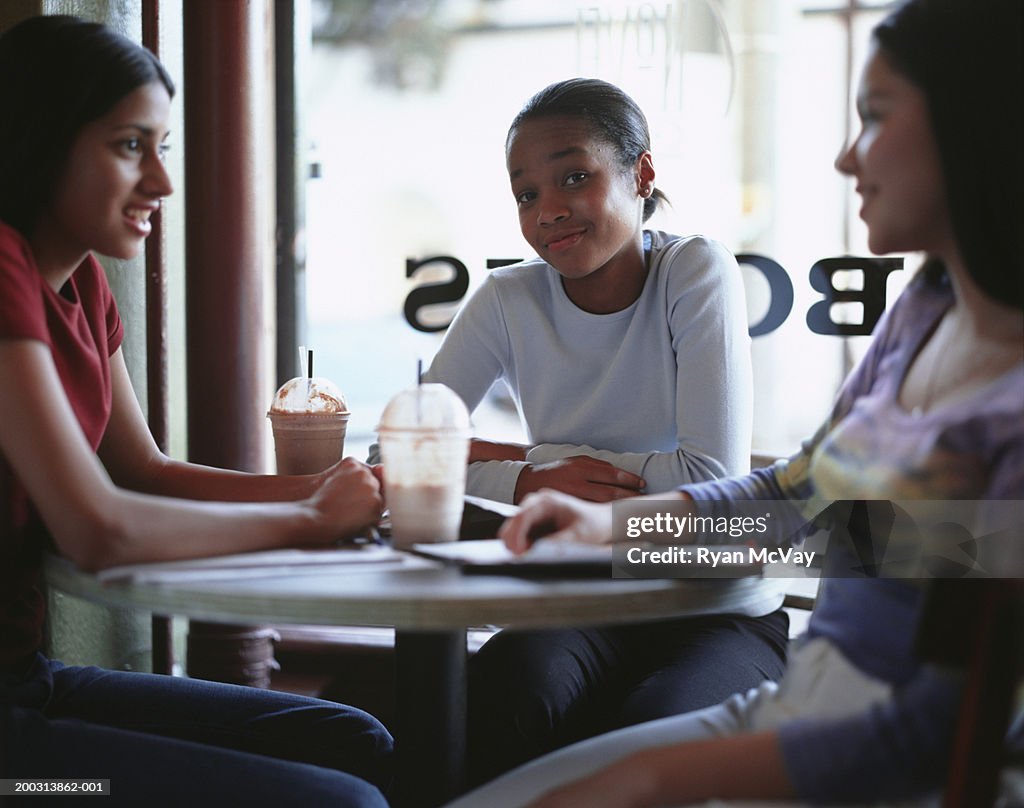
(81, 326)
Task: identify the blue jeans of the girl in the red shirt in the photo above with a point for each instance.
(166, 741)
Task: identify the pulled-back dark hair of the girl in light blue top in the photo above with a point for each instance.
(610, 113)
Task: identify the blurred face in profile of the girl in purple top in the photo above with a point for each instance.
(895, 162)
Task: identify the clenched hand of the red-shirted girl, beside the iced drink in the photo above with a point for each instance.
(350, 499)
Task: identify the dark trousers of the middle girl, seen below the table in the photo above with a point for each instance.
(535, 692)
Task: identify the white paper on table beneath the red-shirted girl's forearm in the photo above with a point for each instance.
(262, 565)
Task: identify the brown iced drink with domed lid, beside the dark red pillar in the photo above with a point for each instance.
(310, 419)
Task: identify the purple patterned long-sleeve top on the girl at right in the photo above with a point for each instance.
(873, 449)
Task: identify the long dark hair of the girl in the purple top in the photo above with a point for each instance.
(966, 58)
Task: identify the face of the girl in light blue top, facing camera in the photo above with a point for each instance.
(579, 207)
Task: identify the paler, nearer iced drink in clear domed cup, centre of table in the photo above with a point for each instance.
(424, 443)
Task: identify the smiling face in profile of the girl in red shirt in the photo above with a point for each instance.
(112, 183)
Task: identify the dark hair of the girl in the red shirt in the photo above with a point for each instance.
(57, 75)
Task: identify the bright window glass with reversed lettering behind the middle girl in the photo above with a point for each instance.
(410, 104)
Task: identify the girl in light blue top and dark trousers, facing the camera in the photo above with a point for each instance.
(628, 356)
